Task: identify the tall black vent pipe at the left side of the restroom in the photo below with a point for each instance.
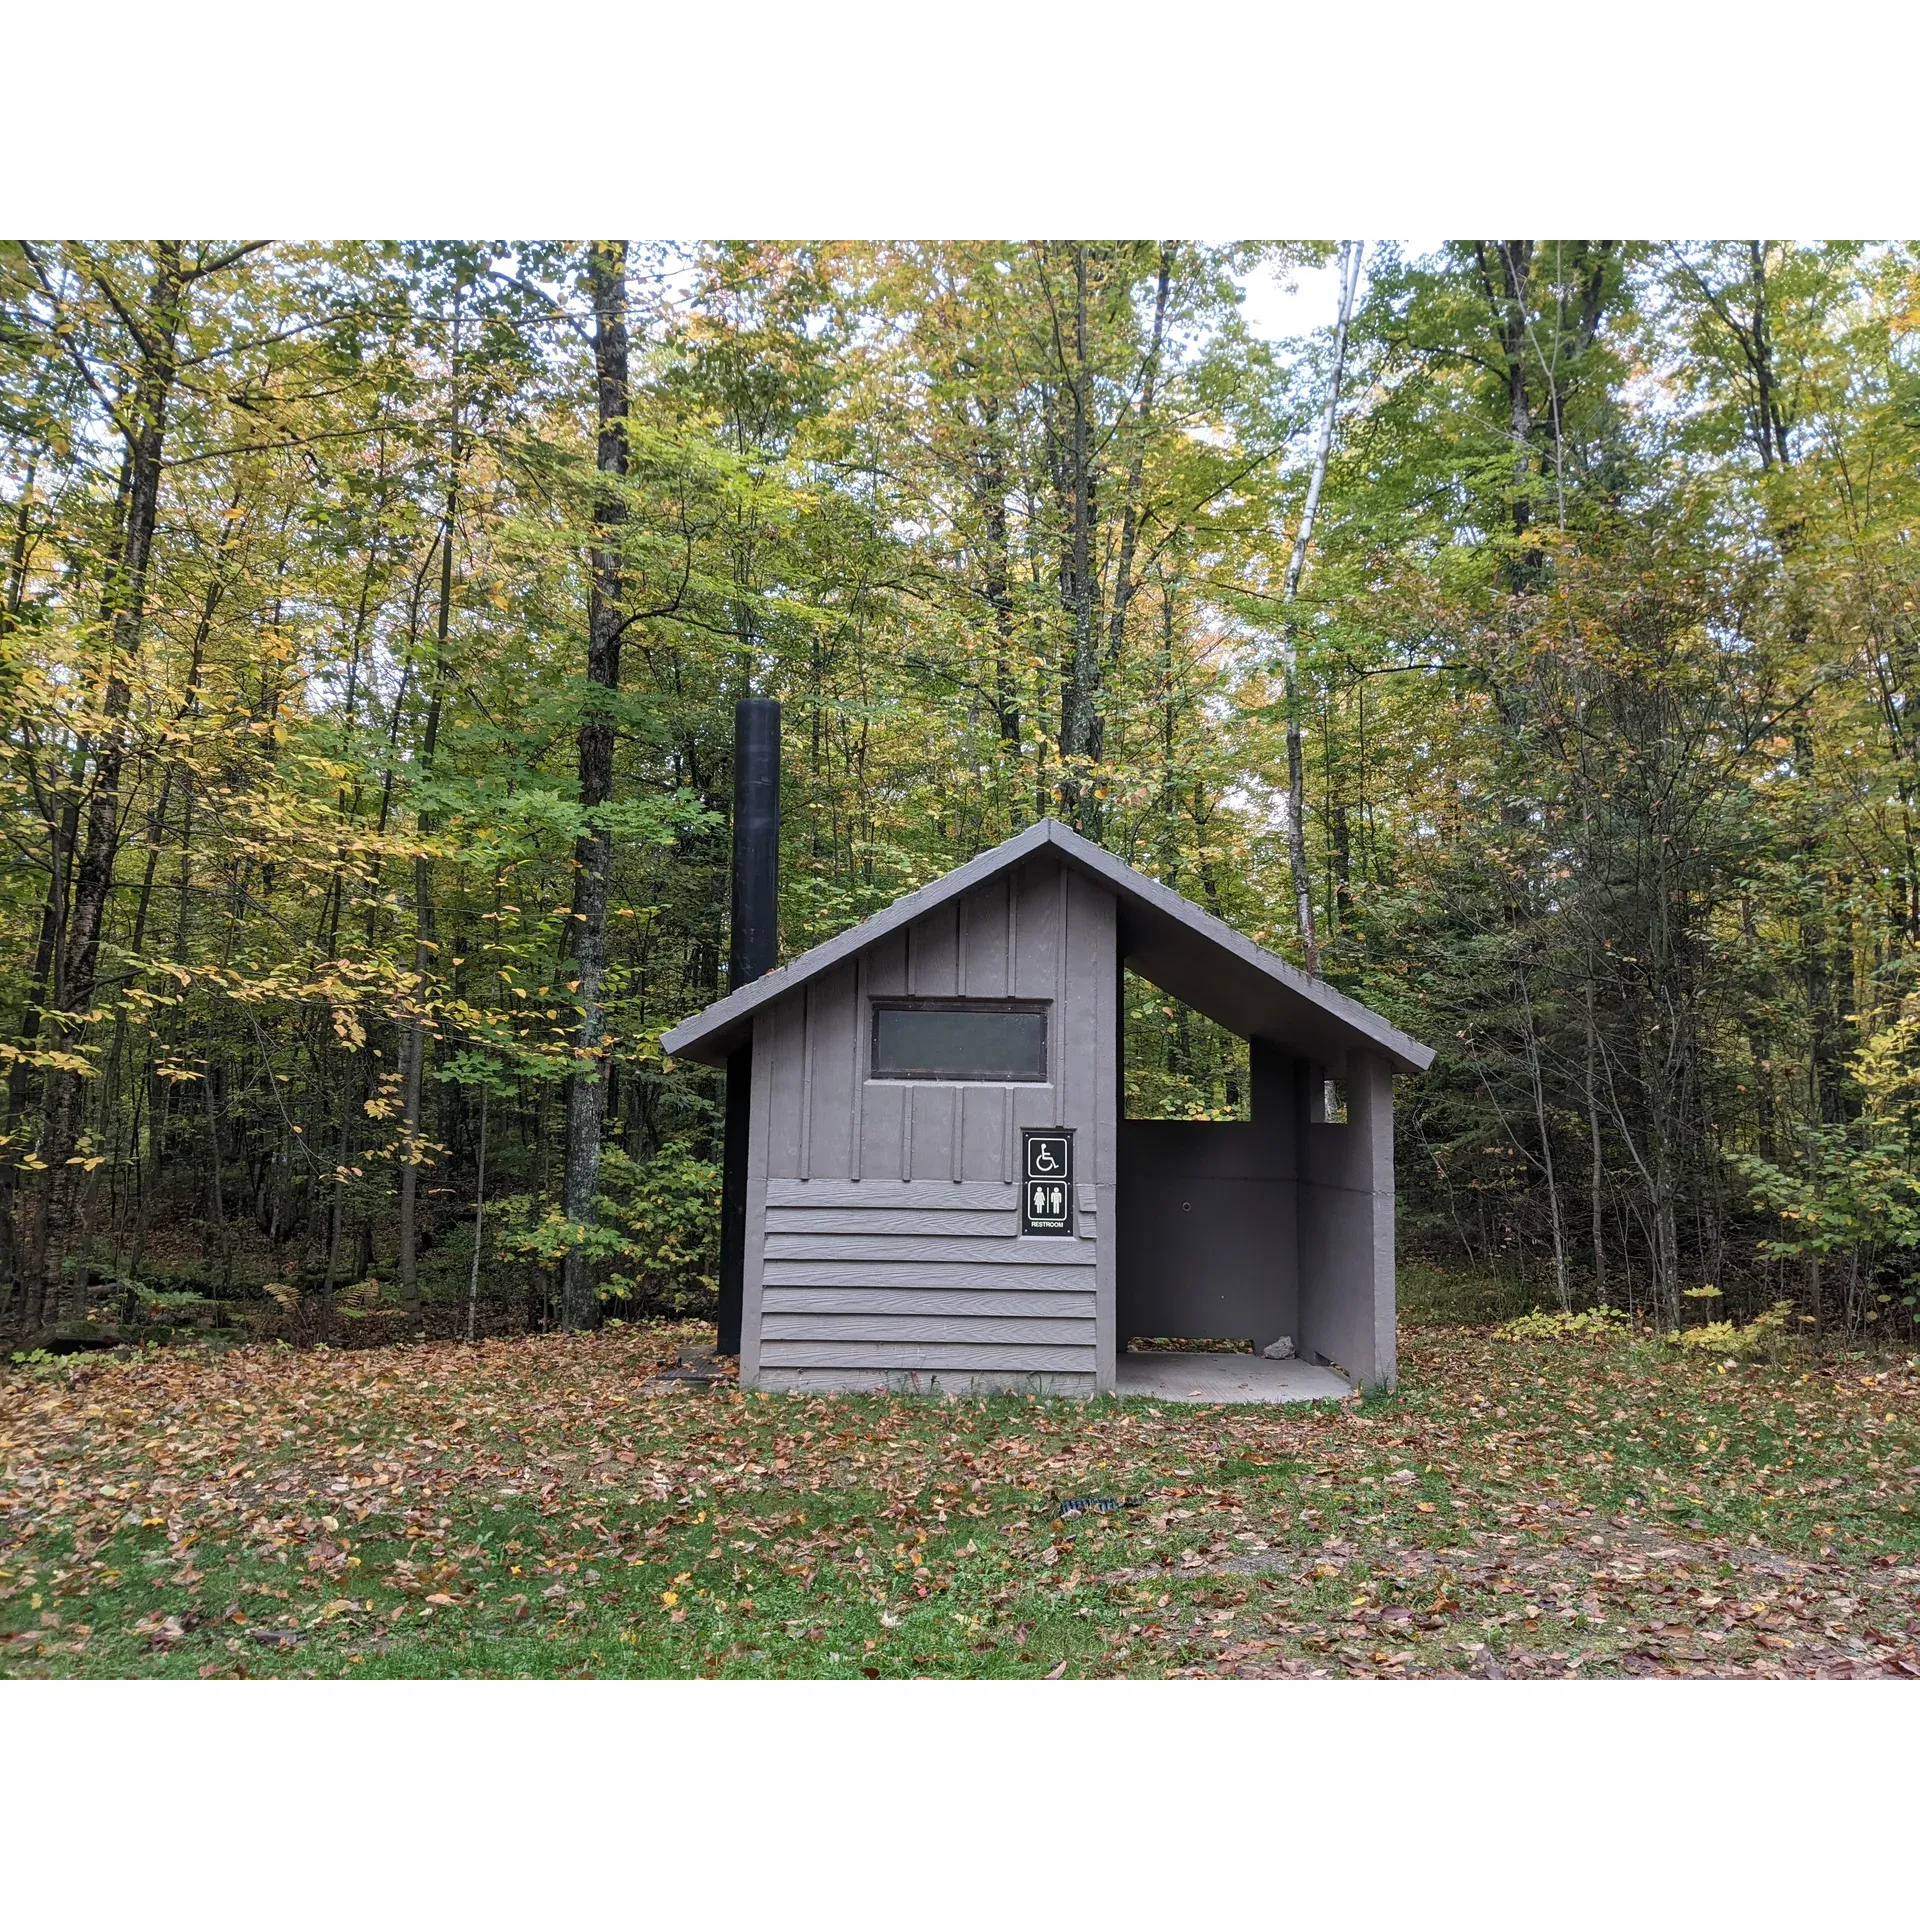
(752, 953)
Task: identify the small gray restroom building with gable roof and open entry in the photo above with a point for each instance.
(944, 1191)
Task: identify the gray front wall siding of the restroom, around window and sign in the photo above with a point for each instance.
(884, 1245)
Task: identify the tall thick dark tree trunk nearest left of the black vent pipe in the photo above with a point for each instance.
(587, 1090)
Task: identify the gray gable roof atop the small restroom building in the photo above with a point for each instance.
(1164, 938)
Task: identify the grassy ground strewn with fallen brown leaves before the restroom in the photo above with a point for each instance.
(529, 1508)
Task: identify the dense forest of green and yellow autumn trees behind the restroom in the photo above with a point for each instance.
(1529, 652)
